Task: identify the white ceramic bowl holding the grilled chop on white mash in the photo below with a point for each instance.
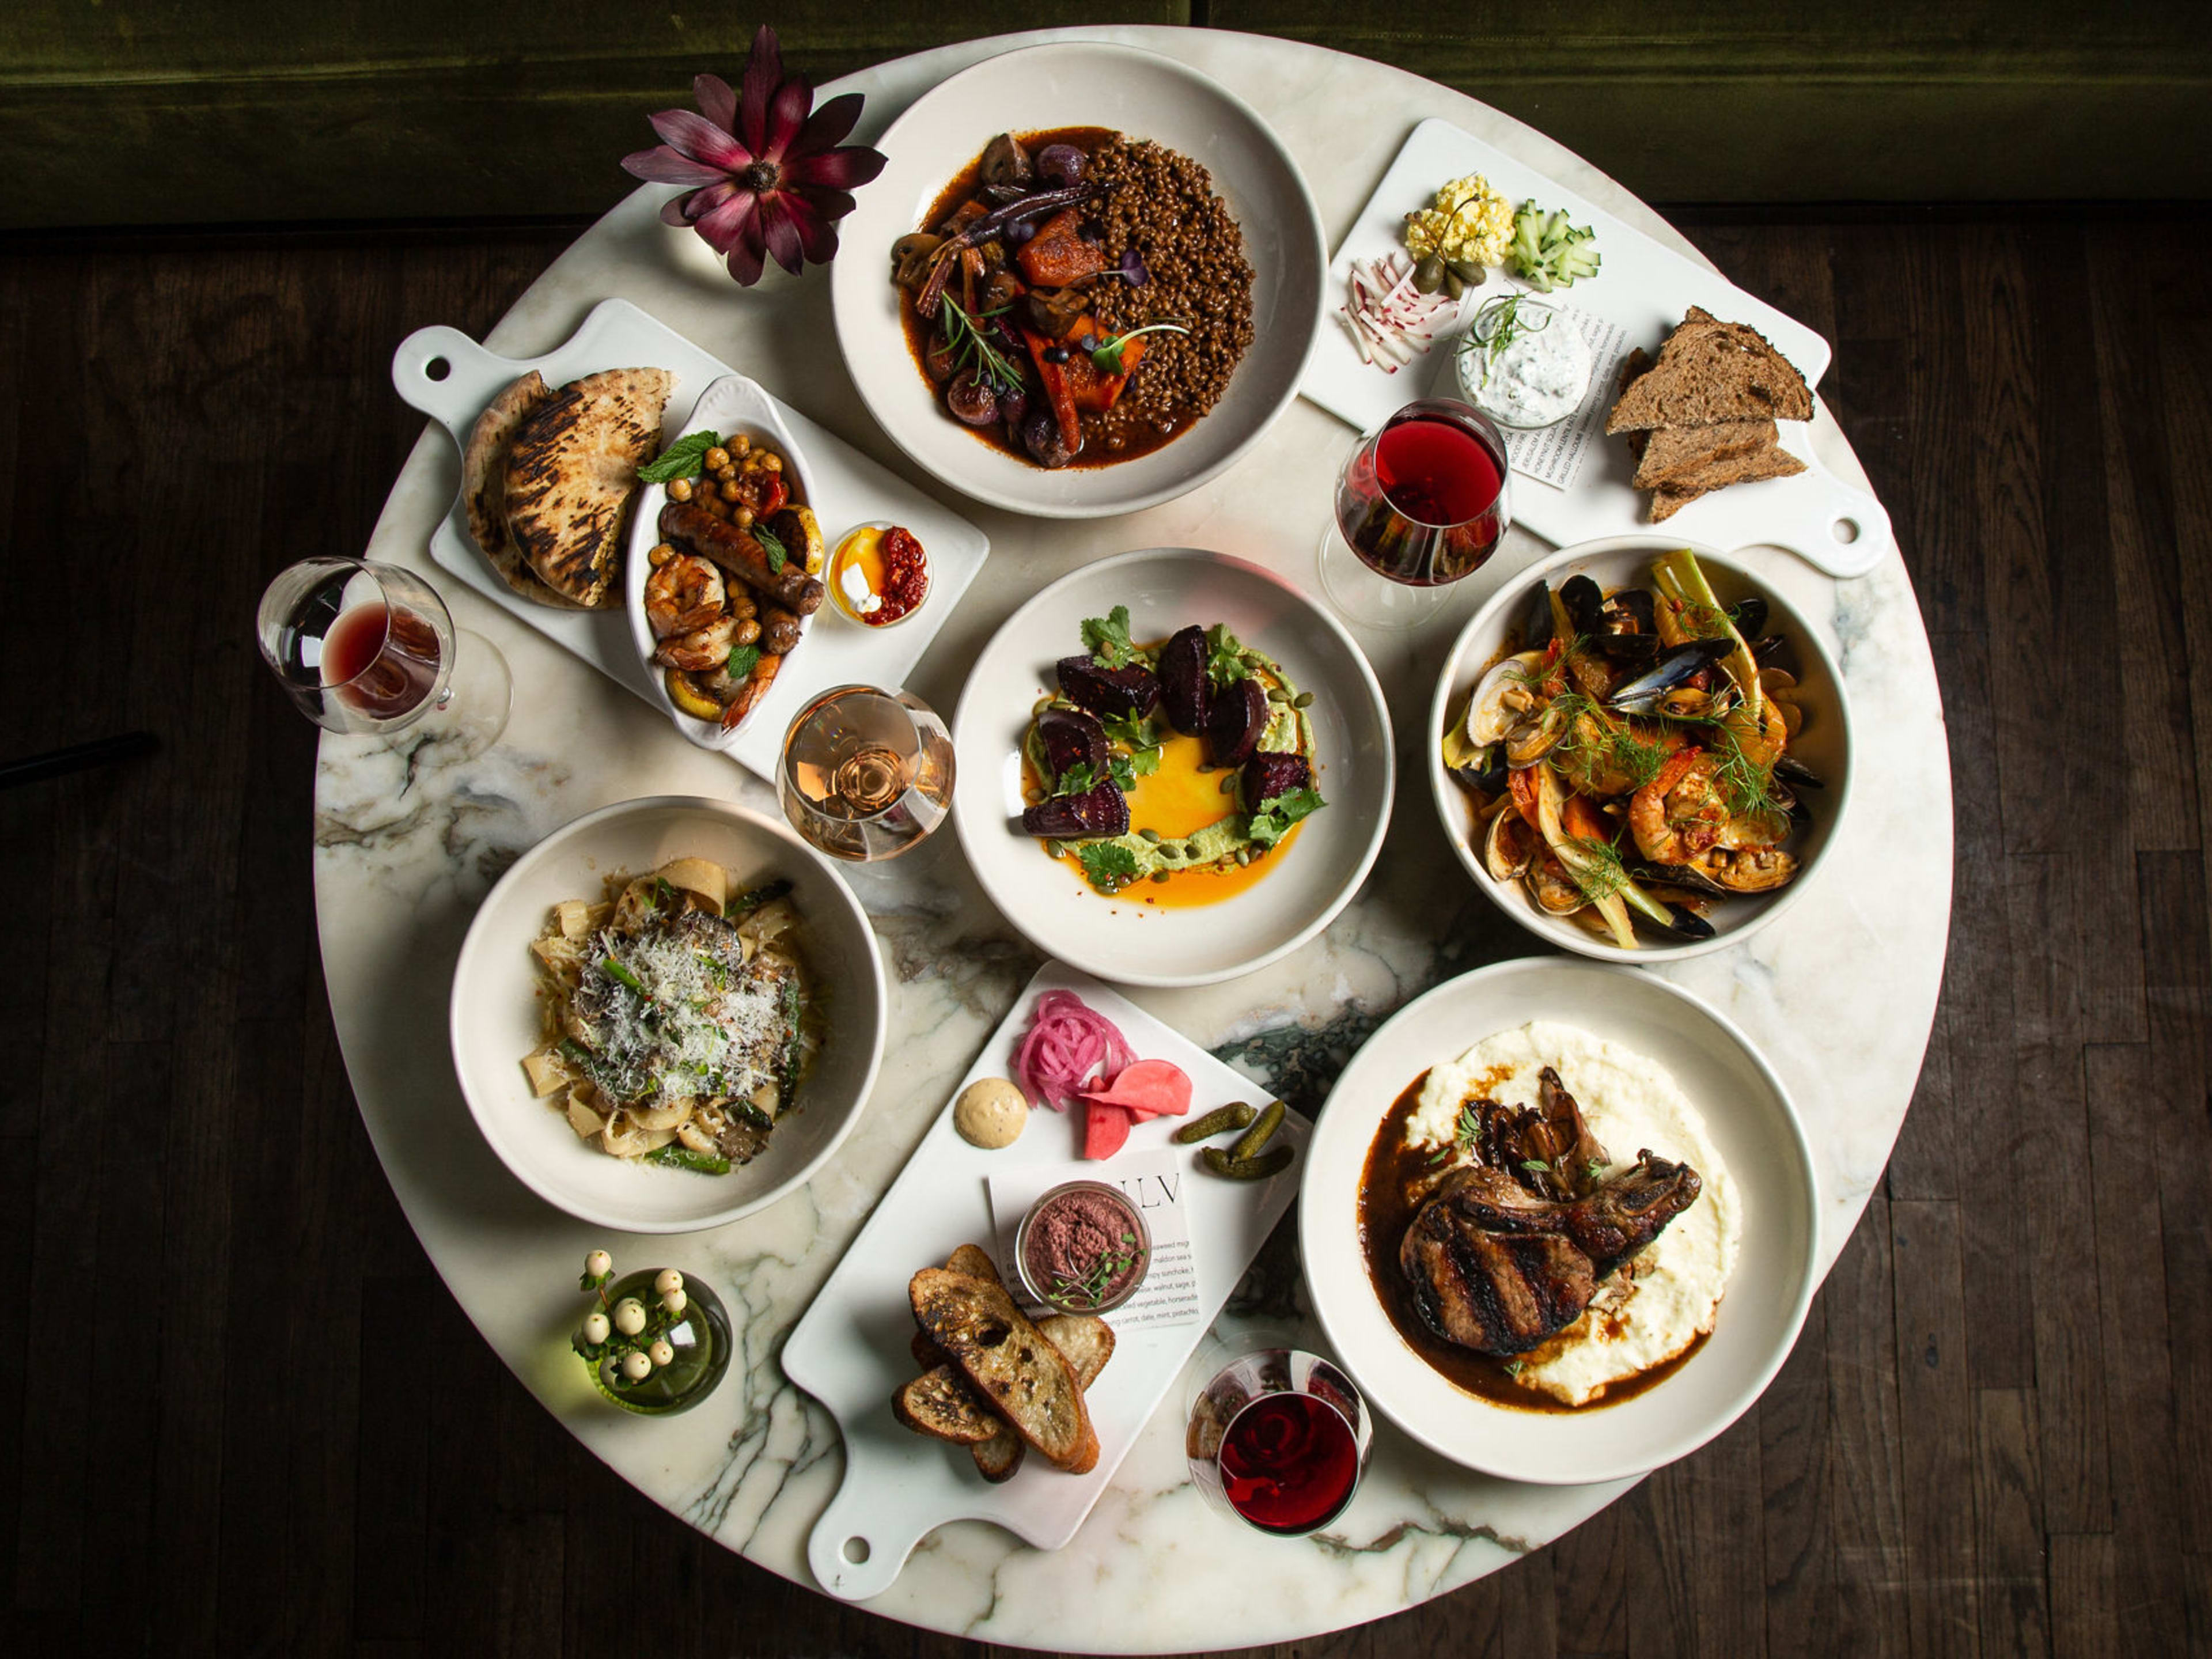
(1755, 1129)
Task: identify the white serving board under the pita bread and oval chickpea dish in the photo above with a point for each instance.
(851, 490)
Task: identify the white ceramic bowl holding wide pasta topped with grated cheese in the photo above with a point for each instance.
(497, 1014)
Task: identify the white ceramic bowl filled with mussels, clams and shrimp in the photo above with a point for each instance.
(1824, 742)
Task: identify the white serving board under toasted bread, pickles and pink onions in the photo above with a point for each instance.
(851, 1350)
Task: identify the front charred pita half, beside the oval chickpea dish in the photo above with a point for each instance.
(572, 472)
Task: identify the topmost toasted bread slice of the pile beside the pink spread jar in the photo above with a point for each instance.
(1010, 1364)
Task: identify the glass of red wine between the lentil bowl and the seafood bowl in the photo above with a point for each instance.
(1421, 503)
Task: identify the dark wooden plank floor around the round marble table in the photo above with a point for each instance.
(238, 1412)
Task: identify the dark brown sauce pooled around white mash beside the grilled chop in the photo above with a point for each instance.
(1390, 1185)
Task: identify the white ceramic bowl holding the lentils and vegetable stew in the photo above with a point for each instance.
(1083, 85)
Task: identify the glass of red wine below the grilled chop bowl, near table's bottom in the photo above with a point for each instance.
(1280, 1439)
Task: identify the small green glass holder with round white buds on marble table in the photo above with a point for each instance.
(656, 1344)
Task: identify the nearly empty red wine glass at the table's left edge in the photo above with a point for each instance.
(373, 649)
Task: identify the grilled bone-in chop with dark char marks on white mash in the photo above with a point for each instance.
(1499, 1269)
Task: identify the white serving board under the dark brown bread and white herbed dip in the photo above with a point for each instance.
(1647, 291)
